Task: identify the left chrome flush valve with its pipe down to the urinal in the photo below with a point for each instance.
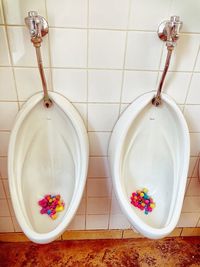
(38, 27)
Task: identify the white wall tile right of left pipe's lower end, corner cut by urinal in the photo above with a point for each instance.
(71, 83)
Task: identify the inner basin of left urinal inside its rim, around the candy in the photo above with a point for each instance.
(47, 146)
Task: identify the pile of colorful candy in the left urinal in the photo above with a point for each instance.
(51, 204)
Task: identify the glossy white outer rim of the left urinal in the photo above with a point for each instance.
(80, 129)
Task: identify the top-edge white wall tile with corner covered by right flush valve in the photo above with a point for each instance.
(147, 15)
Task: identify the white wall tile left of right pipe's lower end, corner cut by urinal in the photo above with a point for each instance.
(137, 83)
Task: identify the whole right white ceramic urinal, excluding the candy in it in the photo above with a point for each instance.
(150, 148)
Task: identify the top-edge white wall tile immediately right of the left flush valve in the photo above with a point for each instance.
(67, 13)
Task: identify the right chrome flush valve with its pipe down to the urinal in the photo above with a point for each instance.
(168, 31)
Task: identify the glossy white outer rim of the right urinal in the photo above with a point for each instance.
(115, 159)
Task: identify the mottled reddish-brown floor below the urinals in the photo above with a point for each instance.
(179, 251)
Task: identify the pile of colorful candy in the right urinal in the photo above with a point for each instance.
(142, 200)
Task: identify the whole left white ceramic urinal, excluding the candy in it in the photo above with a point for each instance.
(48, 153)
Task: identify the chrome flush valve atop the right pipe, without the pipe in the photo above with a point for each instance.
(169, 30)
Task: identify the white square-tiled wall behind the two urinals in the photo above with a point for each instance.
(100, 54)
